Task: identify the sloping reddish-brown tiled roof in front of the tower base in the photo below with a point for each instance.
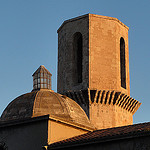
(106, 135)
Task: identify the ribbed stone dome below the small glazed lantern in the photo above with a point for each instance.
(44, 102)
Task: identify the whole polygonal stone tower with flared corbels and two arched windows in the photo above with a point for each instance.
(93, 69)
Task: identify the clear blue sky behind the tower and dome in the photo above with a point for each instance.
(28, 39)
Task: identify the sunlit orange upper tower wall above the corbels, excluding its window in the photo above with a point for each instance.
(104, 53)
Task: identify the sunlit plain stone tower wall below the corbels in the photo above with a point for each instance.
(104, 116)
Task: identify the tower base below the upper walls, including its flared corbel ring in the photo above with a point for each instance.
(106, 108)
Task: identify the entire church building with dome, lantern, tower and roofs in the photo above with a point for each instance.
(92, 108)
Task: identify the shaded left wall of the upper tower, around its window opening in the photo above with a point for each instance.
(65, 80)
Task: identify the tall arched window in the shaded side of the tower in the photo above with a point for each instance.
(77, 57)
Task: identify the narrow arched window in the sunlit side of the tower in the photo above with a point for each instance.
(122, 63)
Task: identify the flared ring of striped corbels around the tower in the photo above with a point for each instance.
(104, 97)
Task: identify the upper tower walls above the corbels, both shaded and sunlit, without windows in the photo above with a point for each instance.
(101, 54)
